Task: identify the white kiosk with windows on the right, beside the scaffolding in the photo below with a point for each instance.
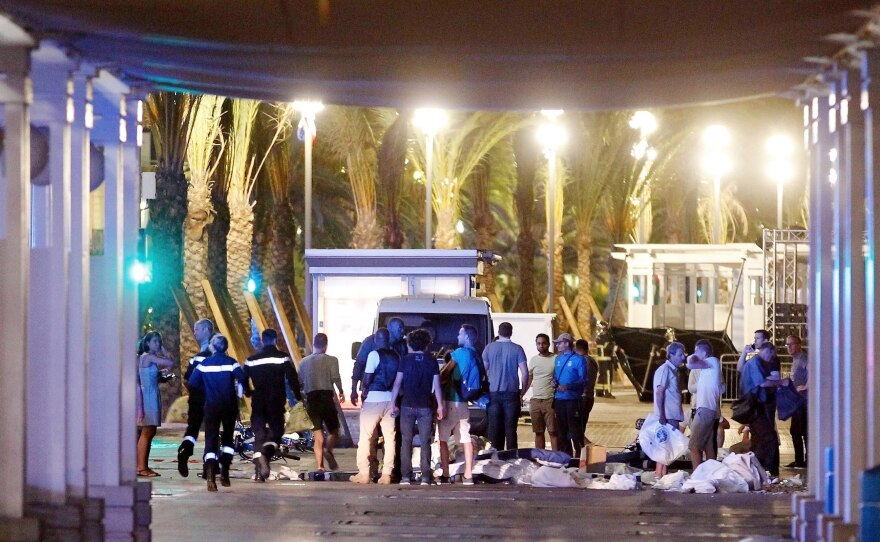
(698, 287)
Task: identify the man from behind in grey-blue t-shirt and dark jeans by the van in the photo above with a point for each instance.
(503, 358)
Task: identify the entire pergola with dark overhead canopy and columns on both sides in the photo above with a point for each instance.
(78, 71)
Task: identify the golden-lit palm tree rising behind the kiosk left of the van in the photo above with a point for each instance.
(351, 136)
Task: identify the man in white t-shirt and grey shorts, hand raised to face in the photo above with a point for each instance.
(704, 426)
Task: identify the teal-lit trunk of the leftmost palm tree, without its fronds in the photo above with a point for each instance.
(167, 213)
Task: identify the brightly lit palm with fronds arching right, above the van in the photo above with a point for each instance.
(460, 150)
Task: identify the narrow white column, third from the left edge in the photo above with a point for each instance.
(78, 302)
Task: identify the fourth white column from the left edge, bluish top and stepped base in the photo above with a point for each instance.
(111, 423)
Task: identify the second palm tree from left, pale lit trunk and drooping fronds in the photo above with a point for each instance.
(204, 155)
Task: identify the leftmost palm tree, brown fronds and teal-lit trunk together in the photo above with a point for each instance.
(171, 116)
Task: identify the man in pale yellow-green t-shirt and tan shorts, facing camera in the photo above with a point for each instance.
(541, 405)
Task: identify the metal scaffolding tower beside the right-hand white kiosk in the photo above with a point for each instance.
(786, 254)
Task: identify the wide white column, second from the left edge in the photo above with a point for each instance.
(47, 330)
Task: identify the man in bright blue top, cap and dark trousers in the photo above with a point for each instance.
(570, 376)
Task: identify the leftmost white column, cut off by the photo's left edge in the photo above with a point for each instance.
(15, 97)
